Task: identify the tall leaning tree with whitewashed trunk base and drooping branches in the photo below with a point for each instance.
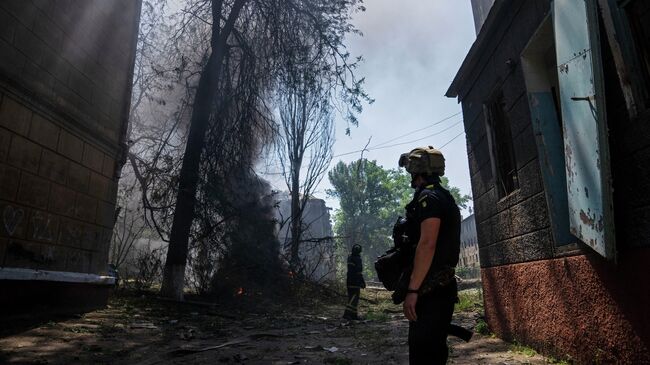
(249, 42)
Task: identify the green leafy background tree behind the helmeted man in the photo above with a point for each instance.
(371, 198)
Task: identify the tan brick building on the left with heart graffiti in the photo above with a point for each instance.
(65, 88)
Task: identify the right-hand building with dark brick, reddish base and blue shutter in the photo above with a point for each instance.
(555, 98)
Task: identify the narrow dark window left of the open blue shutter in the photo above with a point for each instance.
(501, 145)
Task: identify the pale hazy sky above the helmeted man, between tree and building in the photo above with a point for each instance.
(412, 51)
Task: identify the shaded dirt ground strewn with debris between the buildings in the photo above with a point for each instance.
(144, 330)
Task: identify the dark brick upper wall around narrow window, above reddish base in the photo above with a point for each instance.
(517, 227)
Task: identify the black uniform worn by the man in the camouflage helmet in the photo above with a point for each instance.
(435, 305)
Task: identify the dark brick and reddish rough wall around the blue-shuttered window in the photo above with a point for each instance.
(561, 302)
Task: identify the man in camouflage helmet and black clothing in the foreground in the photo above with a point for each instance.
(432, 291)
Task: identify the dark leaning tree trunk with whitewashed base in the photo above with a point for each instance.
(174, 272)
